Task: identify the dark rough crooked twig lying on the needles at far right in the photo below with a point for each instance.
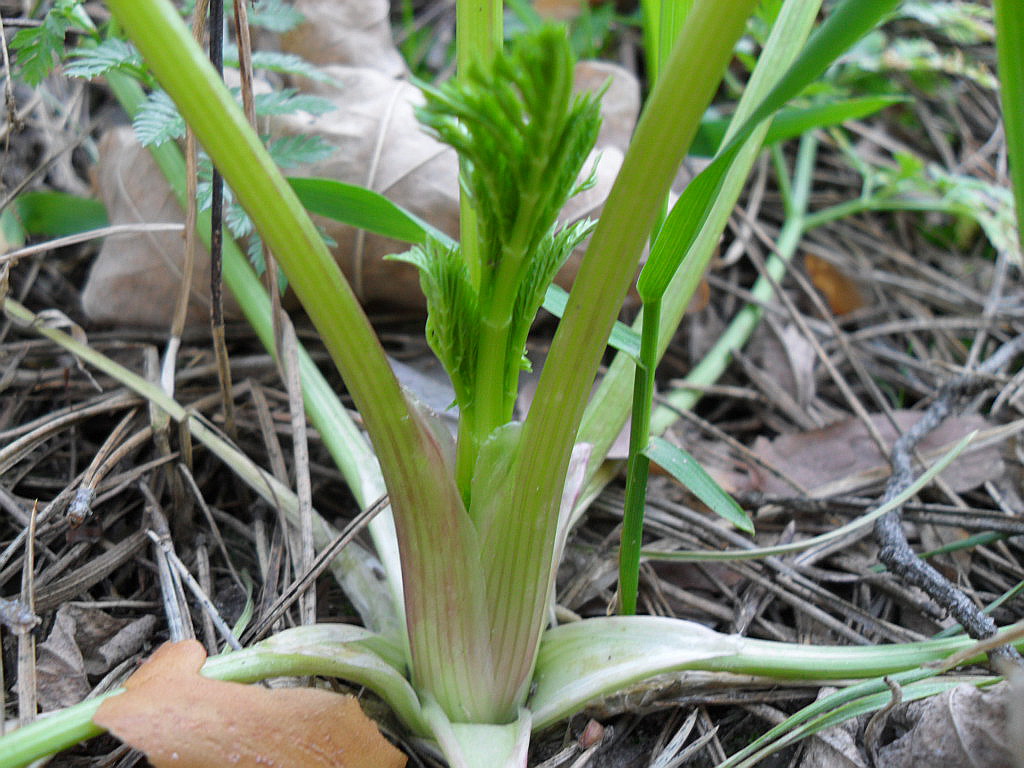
(894, 550)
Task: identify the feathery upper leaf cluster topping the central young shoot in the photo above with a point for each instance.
(523, 140)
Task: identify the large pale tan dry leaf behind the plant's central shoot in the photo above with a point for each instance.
(379, 146)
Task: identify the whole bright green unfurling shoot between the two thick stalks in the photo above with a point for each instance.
(524, 140)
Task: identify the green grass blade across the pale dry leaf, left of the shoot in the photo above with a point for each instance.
(365, 209)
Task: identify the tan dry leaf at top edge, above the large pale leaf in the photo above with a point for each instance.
(356, 33)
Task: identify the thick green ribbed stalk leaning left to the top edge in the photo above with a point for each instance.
(447, 617)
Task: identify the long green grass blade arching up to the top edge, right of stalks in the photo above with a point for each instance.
(847, 24)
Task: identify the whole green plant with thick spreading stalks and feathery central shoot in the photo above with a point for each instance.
(481, 521)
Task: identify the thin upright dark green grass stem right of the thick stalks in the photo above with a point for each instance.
(639, 464)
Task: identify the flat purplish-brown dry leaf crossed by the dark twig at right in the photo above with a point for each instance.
(843, 452)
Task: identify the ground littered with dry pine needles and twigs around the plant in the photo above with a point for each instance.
(880, 314)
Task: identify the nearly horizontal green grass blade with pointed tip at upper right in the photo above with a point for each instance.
(792, 123)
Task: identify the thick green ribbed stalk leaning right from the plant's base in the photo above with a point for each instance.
(523, 571)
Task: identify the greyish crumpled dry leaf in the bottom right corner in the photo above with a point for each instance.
(964, 728)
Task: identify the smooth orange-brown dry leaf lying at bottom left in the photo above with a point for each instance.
(180, 718)
